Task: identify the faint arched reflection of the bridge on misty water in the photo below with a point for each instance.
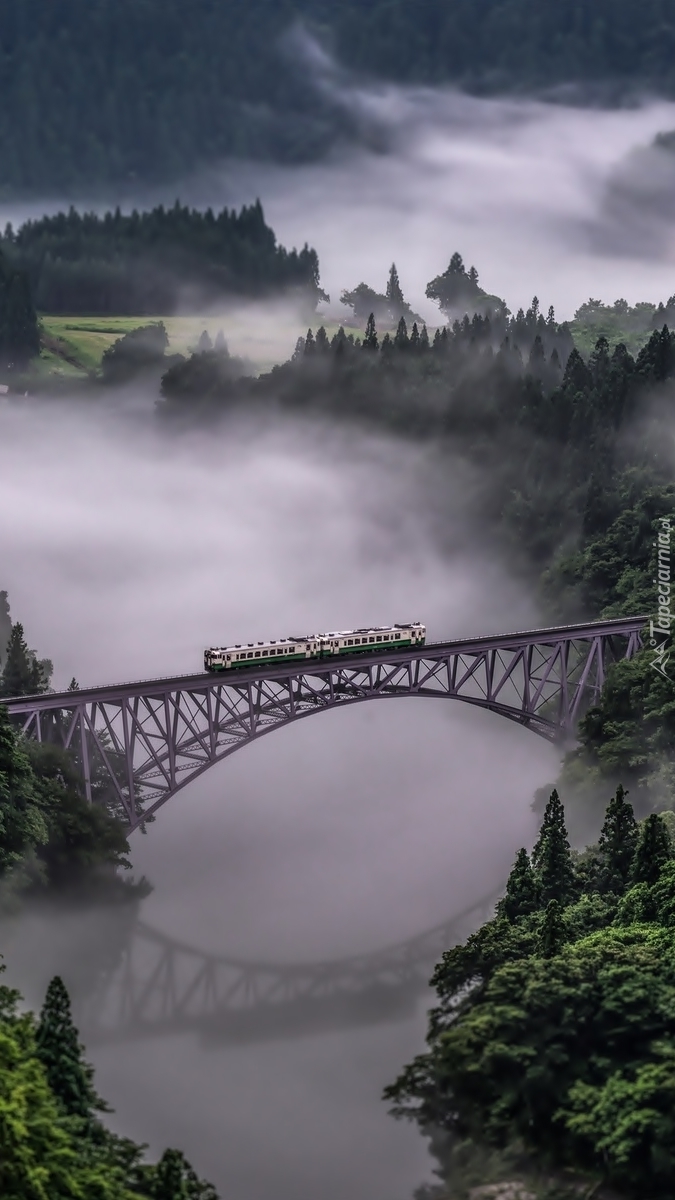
(154, 986)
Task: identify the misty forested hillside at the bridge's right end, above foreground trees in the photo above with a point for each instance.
(576, 472)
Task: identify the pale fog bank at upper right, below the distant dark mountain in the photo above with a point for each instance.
(554, 201)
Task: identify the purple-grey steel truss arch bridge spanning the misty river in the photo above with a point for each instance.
(150, 740)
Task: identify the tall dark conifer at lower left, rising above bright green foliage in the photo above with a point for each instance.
(70, 1077)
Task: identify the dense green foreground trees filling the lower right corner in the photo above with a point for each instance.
(554, 1025)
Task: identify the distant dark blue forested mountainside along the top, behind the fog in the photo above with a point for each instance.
(100, 94)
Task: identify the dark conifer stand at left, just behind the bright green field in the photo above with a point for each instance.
(154, 262)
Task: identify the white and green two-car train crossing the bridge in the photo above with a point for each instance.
(315, 646)
